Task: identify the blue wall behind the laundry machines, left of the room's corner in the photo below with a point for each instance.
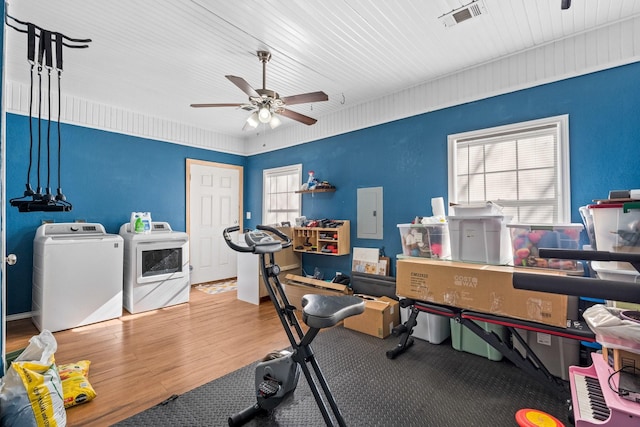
(106, 176)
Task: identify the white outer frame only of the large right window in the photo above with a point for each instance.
(561, 128)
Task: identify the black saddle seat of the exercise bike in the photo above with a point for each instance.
(324, 311)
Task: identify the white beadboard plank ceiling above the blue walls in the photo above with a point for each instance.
(157, 57)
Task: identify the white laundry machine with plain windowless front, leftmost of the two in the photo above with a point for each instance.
(77, 275)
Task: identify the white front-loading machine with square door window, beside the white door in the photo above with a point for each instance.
(156, 267)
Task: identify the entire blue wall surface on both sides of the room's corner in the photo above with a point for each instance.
(106, 176)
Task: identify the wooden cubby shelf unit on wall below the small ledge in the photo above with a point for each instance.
(313, 239)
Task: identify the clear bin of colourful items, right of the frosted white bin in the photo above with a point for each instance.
(526, 239)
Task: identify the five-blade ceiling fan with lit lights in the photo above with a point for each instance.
(266, 104)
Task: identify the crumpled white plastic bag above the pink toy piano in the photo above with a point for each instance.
(611, 329)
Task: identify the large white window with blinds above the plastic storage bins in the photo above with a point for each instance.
(523, 167)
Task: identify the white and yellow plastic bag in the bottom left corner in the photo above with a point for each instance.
(31, 391)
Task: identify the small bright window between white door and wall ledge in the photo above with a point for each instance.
(280, 200)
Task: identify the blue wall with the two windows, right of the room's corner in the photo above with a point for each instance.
(409, 157)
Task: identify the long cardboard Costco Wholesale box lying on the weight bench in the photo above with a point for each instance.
(479, 287)
